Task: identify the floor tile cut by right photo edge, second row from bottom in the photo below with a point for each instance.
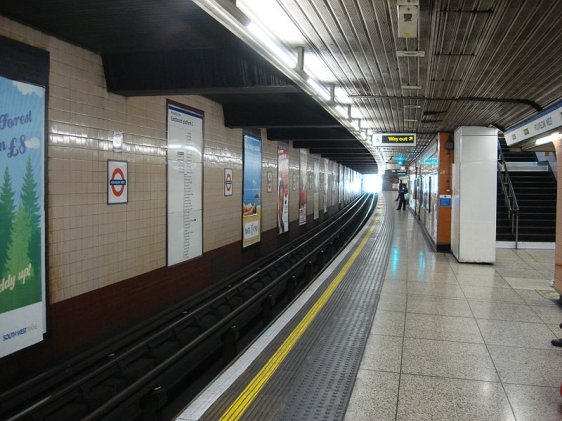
(537, 367)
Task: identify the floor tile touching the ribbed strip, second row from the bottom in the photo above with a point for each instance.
(383, 353)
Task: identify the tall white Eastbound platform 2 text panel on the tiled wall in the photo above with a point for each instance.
(185, 175)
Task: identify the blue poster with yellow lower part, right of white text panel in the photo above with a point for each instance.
(251, 198)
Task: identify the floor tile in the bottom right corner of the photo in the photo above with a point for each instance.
(532, 403)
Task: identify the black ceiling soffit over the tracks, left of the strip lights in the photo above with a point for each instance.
(172, 47)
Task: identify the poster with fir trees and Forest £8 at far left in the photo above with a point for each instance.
(22, 215)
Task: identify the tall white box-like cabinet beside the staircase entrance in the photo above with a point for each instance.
(473, 207)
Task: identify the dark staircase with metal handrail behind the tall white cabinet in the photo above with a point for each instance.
(535, 190)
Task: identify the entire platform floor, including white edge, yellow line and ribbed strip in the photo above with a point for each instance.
(448, 341)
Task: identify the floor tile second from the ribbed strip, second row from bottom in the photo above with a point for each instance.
(447, 359)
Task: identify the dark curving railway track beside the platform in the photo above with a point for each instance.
(151, 372)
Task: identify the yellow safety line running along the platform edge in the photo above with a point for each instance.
(241, 404)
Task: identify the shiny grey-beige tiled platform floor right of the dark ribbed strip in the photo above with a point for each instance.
(455, 341)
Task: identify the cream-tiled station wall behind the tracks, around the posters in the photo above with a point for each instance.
(93, 246)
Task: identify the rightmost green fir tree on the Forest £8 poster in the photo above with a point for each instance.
(29, 202)
